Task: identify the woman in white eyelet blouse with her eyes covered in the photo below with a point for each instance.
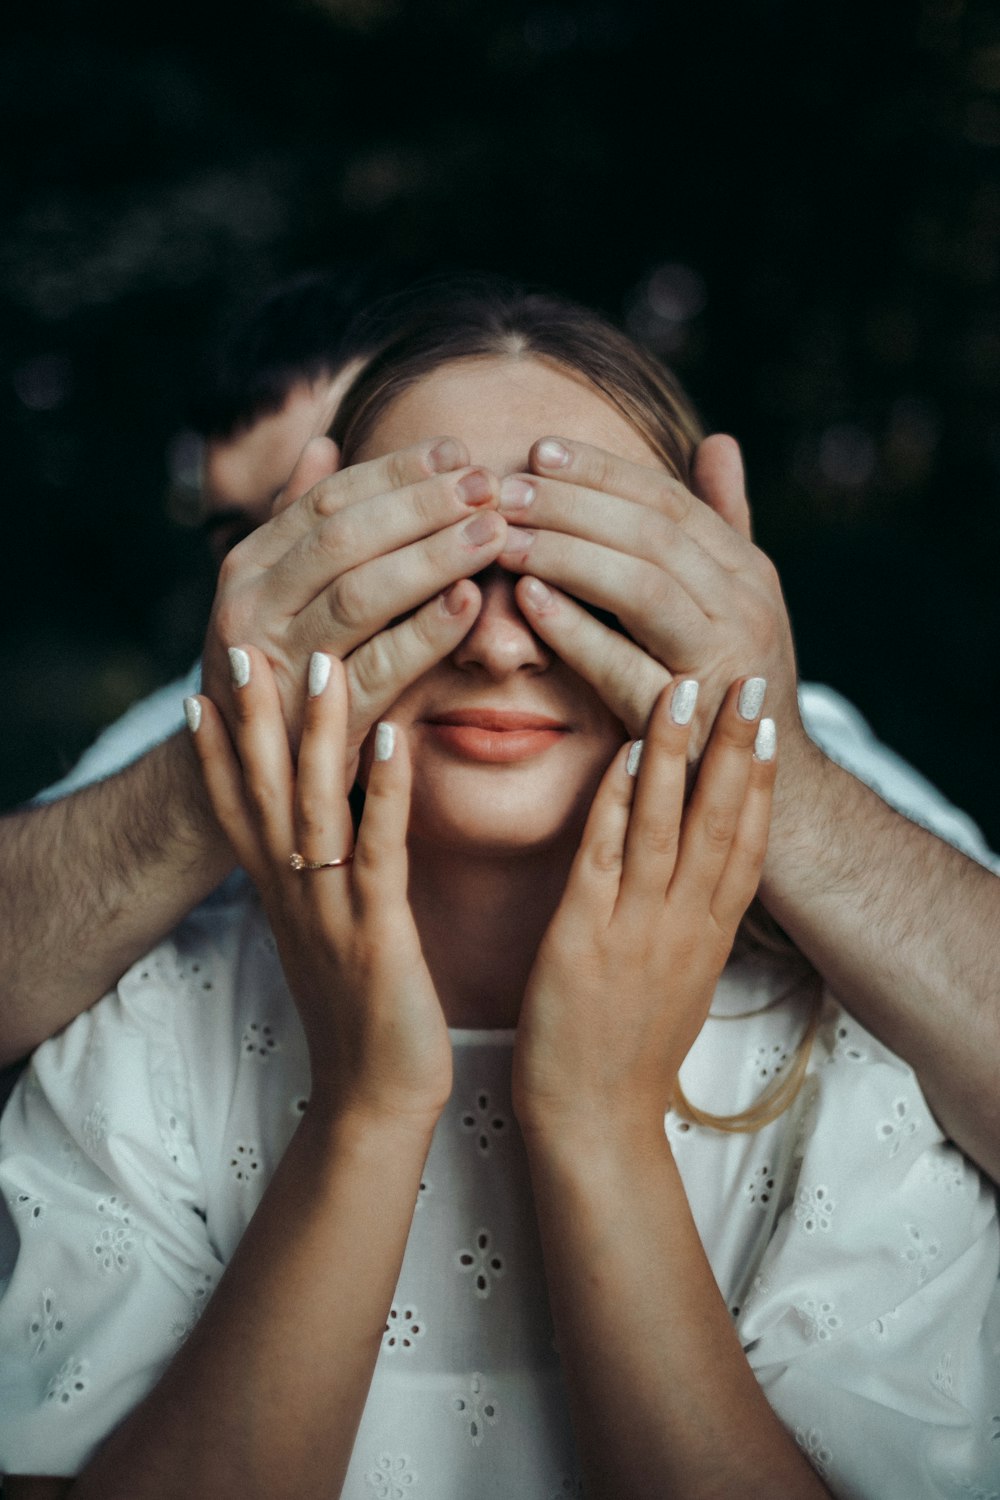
(488, 1001)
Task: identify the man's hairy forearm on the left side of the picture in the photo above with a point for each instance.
(91, 883)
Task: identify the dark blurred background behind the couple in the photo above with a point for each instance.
(797, 205)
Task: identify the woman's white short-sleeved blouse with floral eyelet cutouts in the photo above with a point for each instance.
(857, 1250)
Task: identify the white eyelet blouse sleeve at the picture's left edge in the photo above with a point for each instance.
(106, 1258)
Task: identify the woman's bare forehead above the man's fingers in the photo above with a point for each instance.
(499, 407)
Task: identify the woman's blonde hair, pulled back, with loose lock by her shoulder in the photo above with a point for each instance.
(464, 319)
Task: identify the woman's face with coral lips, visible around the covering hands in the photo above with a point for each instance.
(507, 743)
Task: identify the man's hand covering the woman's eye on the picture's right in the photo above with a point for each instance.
(690, 589)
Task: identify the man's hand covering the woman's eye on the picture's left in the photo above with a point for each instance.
(344, 557)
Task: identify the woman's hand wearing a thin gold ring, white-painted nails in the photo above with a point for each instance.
(377, 1036)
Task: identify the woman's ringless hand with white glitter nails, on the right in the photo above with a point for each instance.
(627, 970)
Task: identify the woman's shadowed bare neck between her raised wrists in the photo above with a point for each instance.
(481, 922)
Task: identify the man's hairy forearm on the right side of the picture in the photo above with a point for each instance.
(905, 931)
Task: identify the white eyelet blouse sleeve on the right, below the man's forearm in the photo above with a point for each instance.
(873, 1322)
